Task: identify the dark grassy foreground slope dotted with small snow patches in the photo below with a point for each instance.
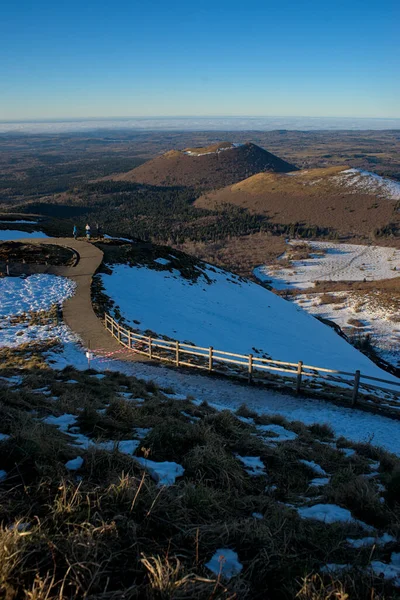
(207, 532)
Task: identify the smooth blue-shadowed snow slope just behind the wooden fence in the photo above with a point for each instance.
(229, 314)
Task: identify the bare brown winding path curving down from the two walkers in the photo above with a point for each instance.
(78, 311)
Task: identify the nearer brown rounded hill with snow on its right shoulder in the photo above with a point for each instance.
(348, 201)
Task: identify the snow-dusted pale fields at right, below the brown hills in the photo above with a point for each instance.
(358, 313)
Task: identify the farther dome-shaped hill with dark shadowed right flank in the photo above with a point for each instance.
(210, 167)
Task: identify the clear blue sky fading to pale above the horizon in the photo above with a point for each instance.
(151, 58)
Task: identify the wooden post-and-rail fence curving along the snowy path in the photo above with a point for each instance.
(353, 387)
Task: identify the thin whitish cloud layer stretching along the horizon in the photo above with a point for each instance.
(197, 124)
